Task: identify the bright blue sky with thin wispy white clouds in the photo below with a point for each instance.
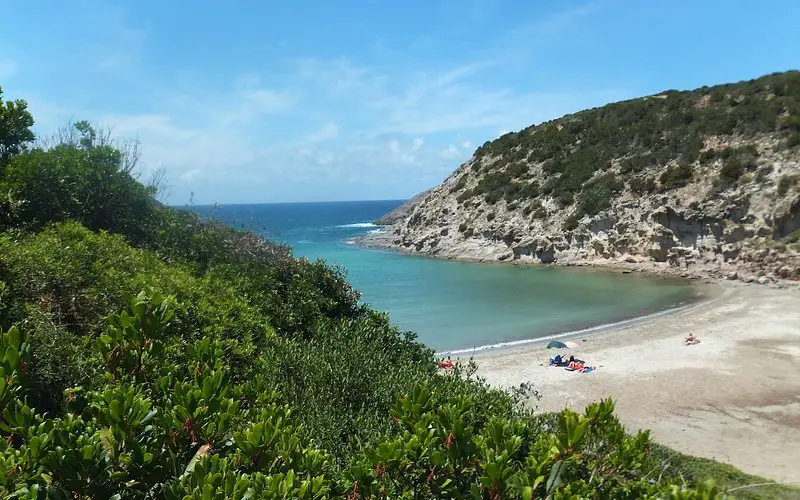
(311, 101)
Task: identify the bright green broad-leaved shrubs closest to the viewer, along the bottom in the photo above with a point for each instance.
(153, 427)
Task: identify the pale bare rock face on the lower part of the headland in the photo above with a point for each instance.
(695, 229)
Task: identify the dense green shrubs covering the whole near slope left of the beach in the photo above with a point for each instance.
(145, 353)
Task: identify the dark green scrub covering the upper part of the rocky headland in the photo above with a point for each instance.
(576, 153)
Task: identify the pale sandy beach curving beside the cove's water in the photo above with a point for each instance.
(735, 397)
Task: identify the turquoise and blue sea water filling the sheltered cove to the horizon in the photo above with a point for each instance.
(455, 305)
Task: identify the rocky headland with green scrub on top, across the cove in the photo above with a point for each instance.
(703, 182)
